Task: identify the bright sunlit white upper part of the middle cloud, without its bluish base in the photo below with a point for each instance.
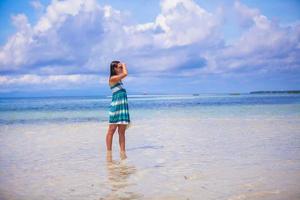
(179, 23)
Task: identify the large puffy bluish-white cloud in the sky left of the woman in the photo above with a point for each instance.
(65, 35)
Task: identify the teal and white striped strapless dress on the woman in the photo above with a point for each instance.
(118, 109)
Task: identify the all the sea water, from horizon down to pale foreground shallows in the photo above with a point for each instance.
(211, 146)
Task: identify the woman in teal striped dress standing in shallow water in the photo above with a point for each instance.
(118, 111)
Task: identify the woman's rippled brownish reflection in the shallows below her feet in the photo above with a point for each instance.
(118, 173)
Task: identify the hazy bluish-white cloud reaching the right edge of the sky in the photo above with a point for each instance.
(263, 46)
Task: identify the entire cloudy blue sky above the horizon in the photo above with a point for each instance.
(169, 46)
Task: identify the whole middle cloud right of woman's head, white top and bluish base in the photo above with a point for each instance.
(182, 31)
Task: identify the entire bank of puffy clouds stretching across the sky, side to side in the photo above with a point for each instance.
(76, 37)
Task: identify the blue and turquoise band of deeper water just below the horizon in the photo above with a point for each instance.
(95, 109)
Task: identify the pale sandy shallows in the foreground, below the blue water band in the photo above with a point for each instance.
(168, 158)
